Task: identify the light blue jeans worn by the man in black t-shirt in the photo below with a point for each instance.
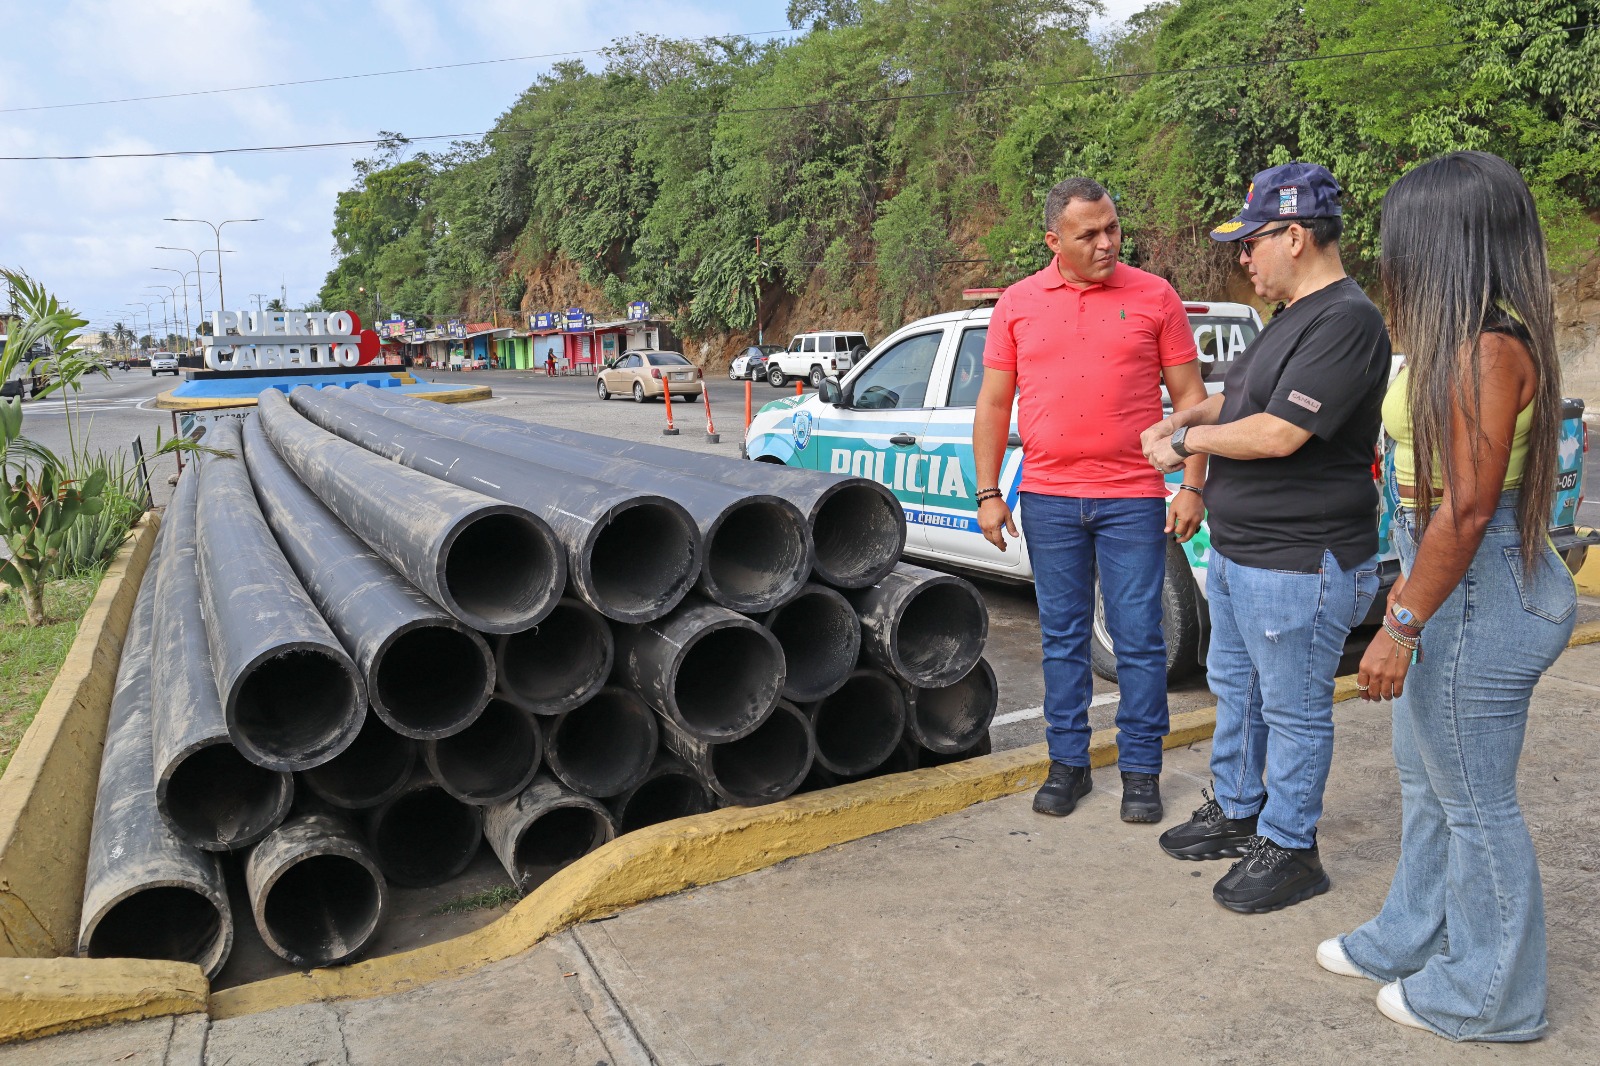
(1276, 644)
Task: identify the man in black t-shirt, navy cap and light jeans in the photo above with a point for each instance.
(1294, 516)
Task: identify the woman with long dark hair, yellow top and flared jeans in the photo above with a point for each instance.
(1486, 604)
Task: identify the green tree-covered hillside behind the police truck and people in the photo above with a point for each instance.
(898, 148)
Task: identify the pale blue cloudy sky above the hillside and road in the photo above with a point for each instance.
(90, 230)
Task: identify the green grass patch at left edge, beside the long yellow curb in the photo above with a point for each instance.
(30, 659)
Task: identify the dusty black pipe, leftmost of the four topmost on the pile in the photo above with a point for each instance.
(490, 564)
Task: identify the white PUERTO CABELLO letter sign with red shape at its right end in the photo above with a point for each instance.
(282, 340)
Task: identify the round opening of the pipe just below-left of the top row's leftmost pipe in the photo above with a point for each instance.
(431, 681)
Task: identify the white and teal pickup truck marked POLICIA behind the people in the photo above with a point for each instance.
(905, 417)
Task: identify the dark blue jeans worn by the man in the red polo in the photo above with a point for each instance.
(1068, 540)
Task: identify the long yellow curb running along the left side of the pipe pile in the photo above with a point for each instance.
(47, 795)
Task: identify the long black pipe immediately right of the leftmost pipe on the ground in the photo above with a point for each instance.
(207, 791)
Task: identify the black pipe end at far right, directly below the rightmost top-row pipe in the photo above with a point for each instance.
(924, 627)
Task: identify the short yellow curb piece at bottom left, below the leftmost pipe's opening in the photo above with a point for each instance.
(46, 996)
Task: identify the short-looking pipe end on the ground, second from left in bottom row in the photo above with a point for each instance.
(316, 892)
